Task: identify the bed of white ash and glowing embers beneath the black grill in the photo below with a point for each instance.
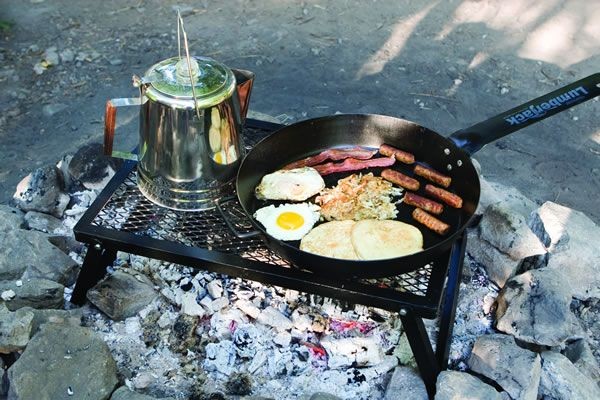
(262, 330)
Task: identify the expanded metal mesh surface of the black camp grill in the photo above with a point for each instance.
(129, 211)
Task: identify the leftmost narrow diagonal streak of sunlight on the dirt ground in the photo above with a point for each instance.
(395, 43)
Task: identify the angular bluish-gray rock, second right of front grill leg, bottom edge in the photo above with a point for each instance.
(515, 369)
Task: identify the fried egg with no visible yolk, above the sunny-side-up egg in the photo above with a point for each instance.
(294, 184)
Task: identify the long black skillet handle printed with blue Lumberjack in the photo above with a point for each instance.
(475, 137)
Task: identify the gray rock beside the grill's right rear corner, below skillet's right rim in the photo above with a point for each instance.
(499, 266)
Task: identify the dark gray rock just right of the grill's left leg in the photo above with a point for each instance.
(122, 295)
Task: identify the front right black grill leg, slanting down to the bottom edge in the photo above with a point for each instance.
(421, 348)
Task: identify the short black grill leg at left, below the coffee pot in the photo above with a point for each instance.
(93, 269)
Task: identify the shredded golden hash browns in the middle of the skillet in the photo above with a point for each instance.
(359, 197)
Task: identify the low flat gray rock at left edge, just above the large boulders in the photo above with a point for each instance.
(35, 293)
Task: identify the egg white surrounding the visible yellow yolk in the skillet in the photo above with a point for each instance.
(267, 216)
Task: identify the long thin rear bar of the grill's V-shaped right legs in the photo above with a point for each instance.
(449, 301)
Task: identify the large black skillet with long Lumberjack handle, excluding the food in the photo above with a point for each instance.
(448, 155)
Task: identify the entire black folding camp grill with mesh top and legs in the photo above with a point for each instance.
(122, 219)
